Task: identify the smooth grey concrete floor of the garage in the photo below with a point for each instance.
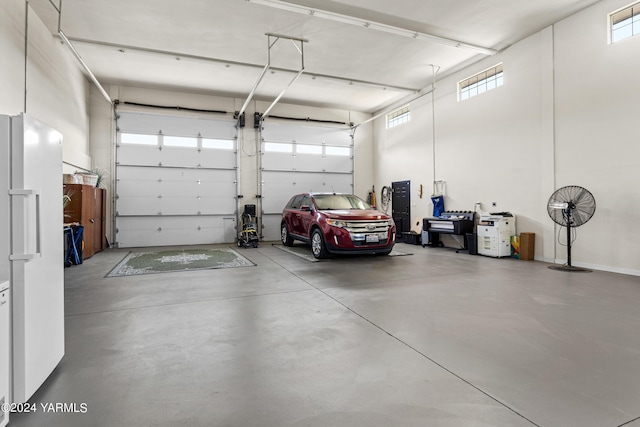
(432, 339)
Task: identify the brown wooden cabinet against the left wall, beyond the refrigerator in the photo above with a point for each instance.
(87, 207)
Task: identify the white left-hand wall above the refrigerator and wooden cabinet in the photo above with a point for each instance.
(56, 90)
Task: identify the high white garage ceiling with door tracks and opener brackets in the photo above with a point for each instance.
(220, 46)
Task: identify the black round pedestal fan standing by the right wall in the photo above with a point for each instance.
(570, 207)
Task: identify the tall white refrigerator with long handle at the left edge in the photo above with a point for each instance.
(31, 250)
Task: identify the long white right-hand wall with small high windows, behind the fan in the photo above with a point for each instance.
(566, 115)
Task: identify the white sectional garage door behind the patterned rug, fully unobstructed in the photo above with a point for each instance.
(176, 180)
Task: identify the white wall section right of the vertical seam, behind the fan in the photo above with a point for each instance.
(597, 138)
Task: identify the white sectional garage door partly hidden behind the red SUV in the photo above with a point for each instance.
(298, 159)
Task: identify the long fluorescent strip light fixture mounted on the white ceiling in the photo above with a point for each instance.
(346, 19)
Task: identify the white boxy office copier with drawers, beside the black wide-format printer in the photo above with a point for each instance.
(494, 233)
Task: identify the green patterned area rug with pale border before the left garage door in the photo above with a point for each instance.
(178, 260)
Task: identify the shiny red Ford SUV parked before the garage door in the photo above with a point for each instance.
(336, 223)
